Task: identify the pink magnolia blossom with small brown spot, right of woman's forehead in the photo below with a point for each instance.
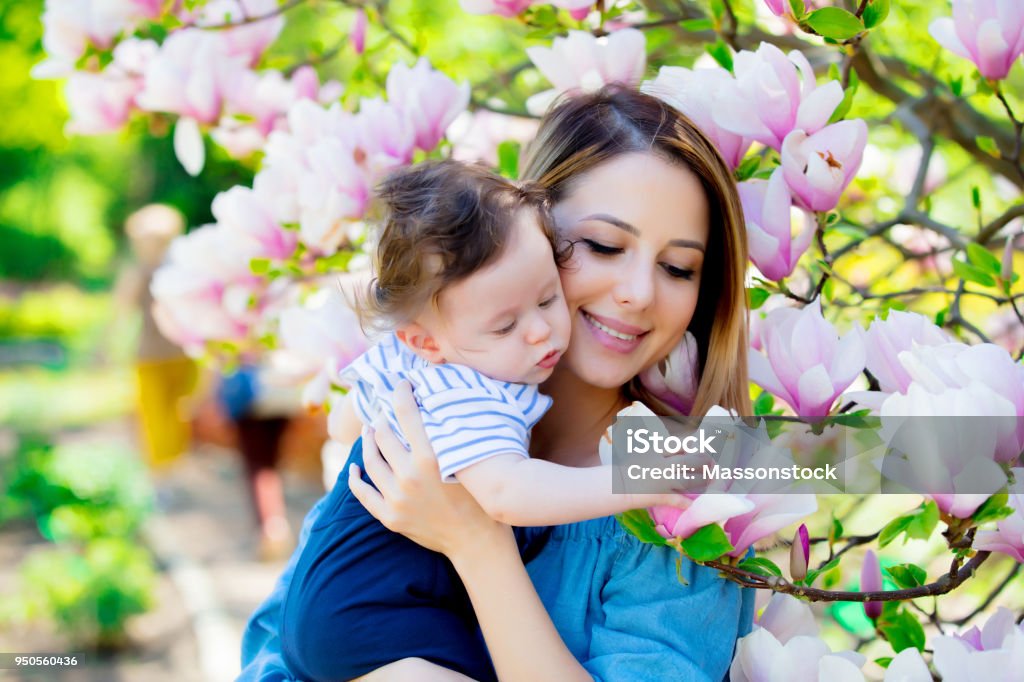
(820, 167)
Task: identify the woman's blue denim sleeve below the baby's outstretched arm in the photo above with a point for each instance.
(656, 628)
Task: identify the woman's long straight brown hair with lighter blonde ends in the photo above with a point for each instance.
(587, 131)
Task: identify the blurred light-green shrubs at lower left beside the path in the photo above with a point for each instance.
(91, 501)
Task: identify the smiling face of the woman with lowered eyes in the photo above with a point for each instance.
(639, 226)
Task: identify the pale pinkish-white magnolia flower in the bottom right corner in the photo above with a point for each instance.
(993, 654)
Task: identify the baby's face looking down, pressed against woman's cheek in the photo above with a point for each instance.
(509, 320)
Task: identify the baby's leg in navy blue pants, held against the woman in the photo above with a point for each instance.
(363, 598)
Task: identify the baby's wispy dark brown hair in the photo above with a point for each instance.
(444, 221)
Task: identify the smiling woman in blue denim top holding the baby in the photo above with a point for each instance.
(660, 249)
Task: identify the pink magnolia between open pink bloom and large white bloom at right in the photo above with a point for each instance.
(886, 339)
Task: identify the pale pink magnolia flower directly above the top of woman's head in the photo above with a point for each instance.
(582, 63)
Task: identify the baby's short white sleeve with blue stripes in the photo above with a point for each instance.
(468, 425)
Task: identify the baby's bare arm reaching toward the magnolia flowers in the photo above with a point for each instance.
(519, 491)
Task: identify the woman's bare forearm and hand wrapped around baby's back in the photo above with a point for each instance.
(446, 519)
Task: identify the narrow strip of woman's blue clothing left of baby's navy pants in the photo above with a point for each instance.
(262, 657)
